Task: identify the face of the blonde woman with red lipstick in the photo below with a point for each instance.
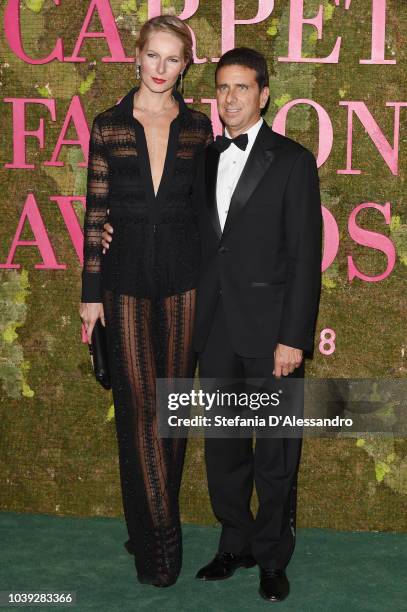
(161, 61)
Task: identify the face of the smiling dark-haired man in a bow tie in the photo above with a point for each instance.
(239, 98)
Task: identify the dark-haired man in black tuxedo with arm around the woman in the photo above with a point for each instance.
(260, 225)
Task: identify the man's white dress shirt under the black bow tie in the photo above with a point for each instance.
(231, 164)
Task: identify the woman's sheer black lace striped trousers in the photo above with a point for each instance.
(148, 339)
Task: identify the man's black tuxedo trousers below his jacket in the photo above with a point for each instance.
(235, 465)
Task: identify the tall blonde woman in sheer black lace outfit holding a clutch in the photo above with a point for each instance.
(142, 162)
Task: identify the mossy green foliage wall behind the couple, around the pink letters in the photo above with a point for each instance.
(58, 449)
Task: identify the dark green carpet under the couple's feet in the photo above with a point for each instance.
(329, 570)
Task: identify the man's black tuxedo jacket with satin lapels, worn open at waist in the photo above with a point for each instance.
(267, 262)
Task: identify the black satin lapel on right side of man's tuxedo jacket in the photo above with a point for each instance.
(259, 161)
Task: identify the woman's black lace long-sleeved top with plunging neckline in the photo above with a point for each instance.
(155, 249)
